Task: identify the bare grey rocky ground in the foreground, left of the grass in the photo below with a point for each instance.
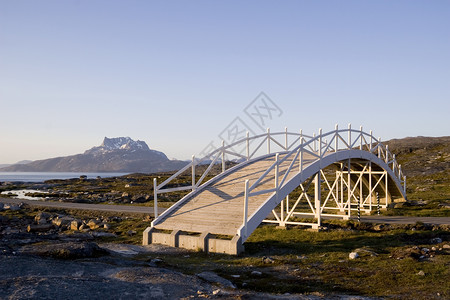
(51, 255)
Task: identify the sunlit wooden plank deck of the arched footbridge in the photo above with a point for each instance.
(218, 208)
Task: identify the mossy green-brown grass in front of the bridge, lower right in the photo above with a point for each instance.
(302, 261)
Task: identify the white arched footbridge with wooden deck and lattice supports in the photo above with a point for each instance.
(283, 178)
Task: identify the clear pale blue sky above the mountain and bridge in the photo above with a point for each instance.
(176, 73)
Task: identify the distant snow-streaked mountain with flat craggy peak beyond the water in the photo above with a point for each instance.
(120, 154)
